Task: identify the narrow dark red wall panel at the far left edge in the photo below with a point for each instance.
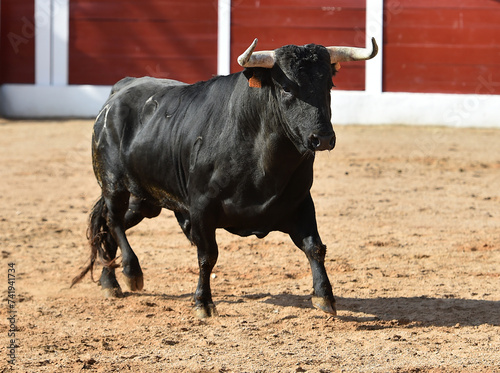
(17, 41)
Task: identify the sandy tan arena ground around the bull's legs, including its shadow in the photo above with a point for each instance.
(410, 215)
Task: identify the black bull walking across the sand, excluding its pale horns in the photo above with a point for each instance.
(235, 152)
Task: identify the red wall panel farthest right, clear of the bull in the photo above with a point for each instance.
(446, 46)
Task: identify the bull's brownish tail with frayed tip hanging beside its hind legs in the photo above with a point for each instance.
(99, 239)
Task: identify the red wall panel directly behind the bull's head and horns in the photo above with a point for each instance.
(280, 22)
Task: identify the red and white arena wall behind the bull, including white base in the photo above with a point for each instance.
(437, 64)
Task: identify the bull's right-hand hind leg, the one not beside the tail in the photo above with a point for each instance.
(118, 205)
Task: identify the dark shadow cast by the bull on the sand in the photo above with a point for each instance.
(424, 310)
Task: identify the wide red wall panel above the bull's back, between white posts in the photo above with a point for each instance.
(166, 39)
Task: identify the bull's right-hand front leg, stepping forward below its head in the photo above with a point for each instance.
(304, 233)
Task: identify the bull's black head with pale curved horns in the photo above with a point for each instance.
(302, 80)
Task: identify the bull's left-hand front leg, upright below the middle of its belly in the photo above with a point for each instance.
(208, 253)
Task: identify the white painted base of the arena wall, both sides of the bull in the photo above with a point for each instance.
(348, 107)
